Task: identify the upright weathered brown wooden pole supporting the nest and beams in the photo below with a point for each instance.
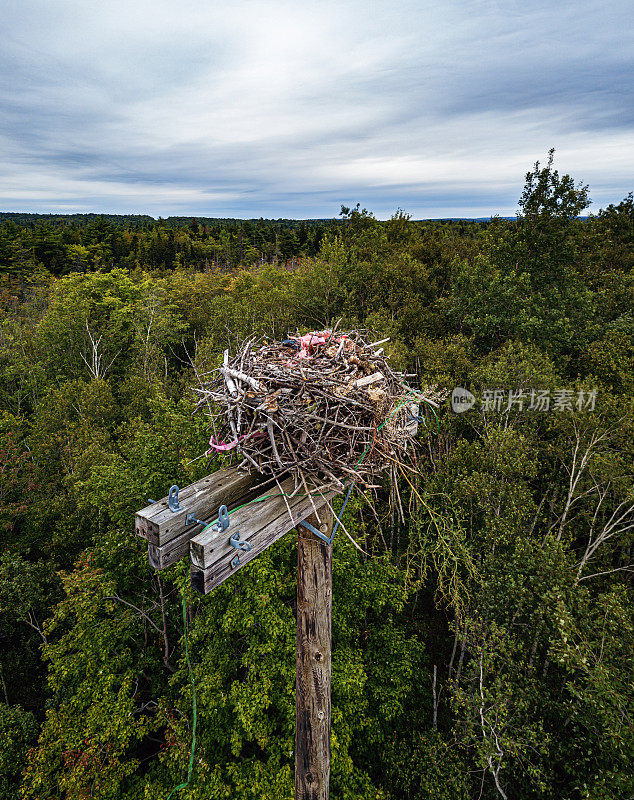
(314, 645)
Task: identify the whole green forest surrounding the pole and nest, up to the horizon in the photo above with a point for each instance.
(483, 648)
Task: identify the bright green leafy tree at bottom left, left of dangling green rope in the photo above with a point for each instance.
(95, 677)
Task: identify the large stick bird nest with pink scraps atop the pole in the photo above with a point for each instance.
(325, 406)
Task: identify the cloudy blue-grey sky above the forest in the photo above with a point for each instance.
(291, 109)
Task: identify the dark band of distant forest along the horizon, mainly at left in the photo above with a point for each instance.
(62, 244)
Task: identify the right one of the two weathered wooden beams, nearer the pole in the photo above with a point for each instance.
(260, 524)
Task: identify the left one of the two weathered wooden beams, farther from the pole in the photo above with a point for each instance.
(159, 525)
